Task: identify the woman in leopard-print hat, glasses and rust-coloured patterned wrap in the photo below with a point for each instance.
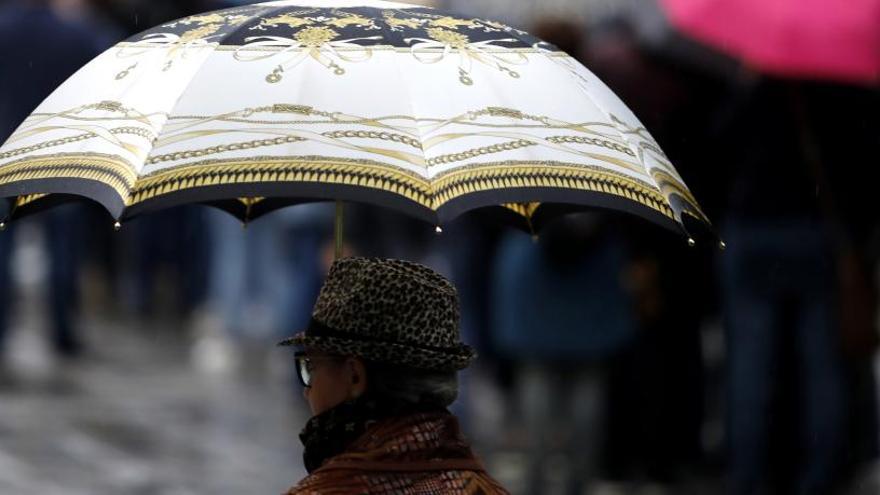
(379, 364)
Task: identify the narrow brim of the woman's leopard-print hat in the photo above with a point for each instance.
(452, 359)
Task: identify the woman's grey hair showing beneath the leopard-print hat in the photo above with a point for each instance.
(409, 386)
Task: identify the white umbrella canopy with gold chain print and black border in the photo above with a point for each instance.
(265, 105)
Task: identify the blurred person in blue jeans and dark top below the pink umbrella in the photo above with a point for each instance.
(780, 299)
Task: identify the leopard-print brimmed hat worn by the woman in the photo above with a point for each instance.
(389, 311)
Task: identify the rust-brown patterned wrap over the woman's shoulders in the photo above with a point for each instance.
(421, 454)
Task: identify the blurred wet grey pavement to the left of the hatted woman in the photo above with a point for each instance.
(135, 416)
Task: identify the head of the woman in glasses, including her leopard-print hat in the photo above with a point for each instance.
(387, 327)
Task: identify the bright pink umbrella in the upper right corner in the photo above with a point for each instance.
(822, 39)
